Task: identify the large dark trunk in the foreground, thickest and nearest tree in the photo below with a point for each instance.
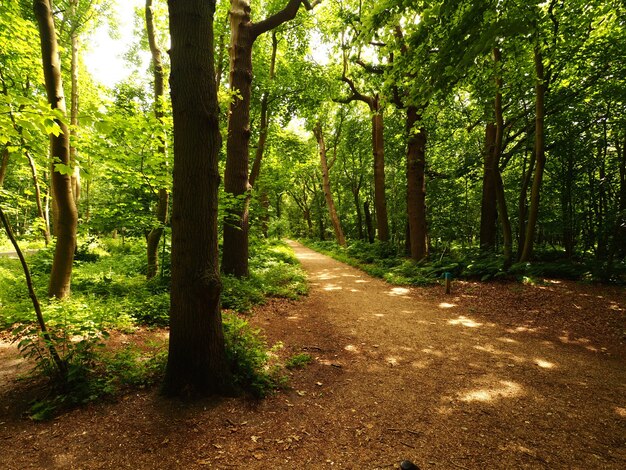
(197, 363)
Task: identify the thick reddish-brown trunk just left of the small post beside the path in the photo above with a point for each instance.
(416, 184)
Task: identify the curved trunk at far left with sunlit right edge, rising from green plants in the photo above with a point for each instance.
(67, 216)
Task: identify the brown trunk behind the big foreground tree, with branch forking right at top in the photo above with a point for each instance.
(243, 34)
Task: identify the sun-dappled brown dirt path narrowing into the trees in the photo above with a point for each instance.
(442, 387)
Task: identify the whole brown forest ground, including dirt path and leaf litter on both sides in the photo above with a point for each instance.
(492, 376)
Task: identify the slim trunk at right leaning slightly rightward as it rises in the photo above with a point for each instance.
(540, 156)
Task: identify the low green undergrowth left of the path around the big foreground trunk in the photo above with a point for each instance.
(110, 292)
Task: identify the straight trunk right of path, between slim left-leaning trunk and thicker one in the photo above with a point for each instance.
(380, 200)
